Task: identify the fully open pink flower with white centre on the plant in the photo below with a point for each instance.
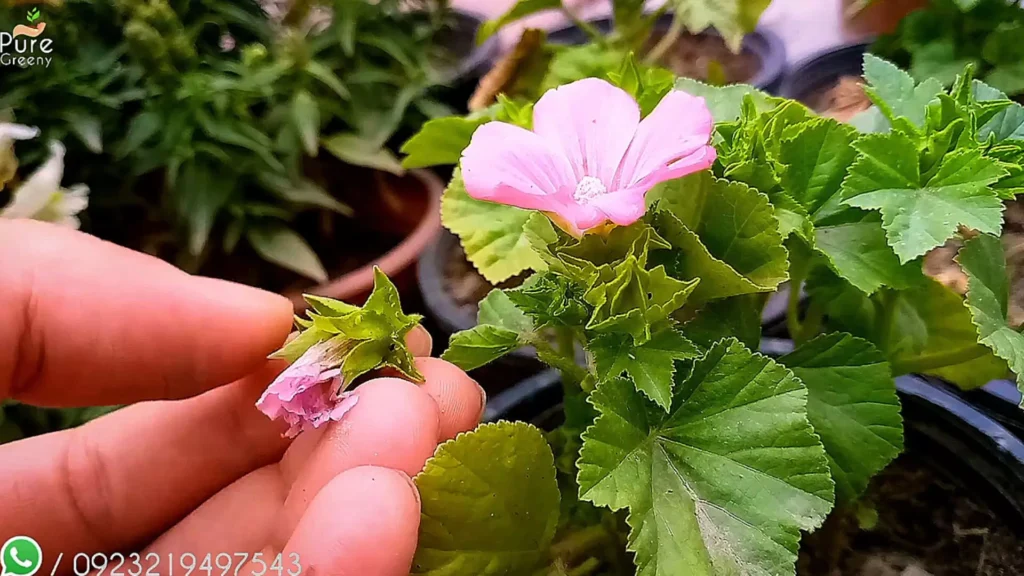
(590, 158)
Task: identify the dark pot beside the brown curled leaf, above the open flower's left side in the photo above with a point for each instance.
(475, 61)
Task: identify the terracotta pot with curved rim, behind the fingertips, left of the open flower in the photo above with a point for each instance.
(422, 212)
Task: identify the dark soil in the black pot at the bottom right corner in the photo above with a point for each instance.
(926, 526)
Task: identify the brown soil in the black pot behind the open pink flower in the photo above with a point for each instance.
(698, 56)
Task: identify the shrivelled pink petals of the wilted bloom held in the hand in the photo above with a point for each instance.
(304, 394)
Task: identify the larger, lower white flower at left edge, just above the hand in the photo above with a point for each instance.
(41, 198)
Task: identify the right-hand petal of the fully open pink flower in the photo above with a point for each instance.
(671, 143)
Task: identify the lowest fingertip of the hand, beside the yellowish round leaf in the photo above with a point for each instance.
(364, 522)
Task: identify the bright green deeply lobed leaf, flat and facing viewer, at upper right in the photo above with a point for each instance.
(921, 212)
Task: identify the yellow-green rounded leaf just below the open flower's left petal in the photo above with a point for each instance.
(494, 236)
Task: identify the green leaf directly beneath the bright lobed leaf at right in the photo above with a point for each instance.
(859, 253)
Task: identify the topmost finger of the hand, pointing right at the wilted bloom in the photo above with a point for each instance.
(86, 322)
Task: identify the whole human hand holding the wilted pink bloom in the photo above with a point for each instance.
(200, 471)
